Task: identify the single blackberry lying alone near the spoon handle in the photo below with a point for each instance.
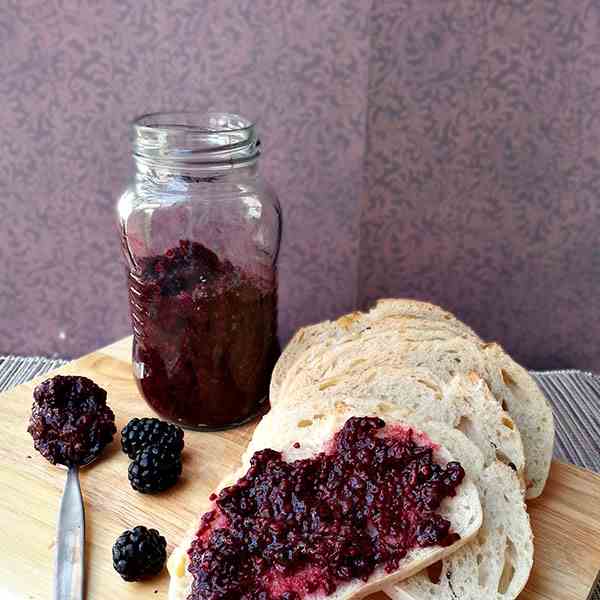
(139, 553)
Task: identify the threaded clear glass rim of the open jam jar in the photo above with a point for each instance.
(195, 137)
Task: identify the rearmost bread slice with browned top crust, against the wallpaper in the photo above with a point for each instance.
(411, 315)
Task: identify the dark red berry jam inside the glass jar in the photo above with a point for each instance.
(204, 336)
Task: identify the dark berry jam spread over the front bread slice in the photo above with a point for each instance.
(286, 530)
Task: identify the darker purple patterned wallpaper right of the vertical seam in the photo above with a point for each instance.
(484, 169)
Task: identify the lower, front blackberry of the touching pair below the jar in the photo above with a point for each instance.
(154, 469)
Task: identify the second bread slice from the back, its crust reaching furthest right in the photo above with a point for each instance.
(512, 387)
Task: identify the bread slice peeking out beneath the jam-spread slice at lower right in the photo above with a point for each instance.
(496, 565)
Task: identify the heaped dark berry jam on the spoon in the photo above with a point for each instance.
(70, 420)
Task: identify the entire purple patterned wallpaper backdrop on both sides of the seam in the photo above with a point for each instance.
(444, 150)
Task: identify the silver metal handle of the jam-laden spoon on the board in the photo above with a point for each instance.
(70, 542)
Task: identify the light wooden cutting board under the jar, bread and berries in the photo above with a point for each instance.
(566, 520)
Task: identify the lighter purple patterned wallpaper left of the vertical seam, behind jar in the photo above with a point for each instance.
(72, 76)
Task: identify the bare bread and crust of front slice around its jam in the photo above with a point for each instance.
(463, 511)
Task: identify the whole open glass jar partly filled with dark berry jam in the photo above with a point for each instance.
(200, 231)
